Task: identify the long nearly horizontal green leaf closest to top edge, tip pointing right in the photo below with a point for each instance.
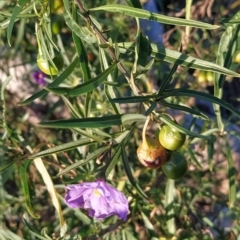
(144, 14)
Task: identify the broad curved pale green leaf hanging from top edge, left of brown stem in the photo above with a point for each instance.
(83, 32)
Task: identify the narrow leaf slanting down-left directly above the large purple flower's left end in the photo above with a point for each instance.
(97, 153)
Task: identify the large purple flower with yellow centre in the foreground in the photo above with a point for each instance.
(99, 198)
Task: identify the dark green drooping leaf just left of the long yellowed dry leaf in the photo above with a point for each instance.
(23, 173)
